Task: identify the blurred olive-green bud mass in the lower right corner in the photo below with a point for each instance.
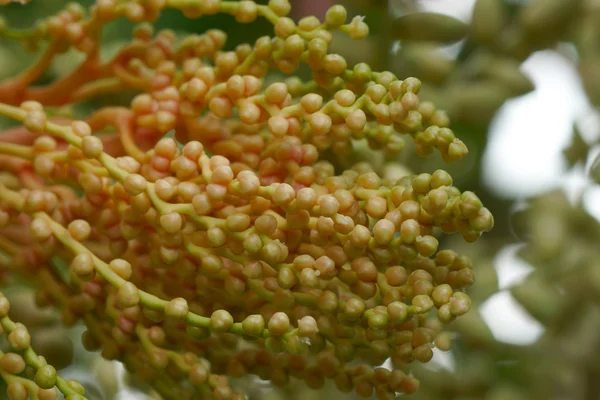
(561, 293)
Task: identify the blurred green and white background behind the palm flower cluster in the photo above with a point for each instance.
(534, 332)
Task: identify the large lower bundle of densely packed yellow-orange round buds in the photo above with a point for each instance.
(349, 262)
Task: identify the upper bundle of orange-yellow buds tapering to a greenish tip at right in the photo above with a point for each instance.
(376, 107)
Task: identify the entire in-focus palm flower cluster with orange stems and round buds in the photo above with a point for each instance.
(235, 247)
